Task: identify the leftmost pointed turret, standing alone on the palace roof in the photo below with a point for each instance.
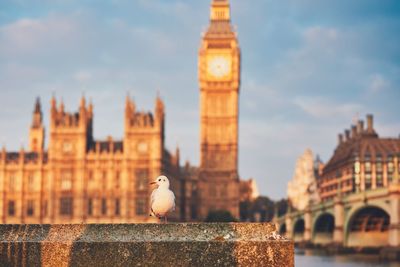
(36, 132)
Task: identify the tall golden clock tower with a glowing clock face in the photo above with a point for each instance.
(219, 77)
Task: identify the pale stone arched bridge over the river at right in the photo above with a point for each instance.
(362, 219)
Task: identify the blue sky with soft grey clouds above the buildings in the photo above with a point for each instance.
(309, 69)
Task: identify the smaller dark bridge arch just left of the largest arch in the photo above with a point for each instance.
(323, 228)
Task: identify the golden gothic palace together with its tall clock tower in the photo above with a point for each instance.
(78, 179)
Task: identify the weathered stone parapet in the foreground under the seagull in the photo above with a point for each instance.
(180, 244)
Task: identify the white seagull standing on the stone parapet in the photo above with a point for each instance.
(162, 198)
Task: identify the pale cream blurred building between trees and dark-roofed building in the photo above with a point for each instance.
(302, 189)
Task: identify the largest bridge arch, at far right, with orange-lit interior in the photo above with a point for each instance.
(368, 226)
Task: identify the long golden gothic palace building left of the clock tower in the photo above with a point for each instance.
(82, 180)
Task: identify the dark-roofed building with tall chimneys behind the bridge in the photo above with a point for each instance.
(362, 161)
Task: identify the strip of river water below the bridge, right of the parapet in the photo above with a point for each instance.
(313, 258)
